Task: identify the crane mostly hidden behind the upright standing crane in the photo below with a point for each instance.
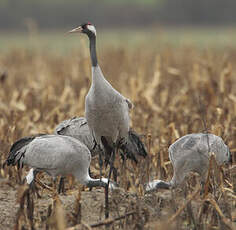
(78, 128)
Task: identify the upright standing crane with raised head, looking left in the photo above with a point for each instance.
(106, 110)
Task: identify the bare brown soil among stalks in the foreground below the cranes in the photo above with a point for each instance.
(148, 209)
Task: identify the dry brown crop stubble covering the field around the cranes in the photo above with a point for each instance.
(38, 90)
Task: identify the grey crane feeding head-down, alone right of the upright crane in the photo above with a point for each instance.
(190, 153)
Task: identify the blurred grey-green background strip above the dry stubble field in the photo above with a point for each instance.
(201, 23)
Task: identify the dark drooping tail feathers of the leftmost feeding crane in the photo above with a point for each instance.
(17, 150)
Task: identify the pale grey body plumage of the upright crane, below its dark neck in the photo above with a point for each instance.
(106, 111)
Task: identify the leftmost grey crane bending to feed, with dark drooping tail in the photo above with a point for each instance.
(55, 155)
